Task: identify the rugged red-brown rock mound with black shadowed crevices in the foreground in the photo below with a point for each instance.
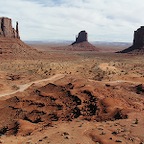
(53, 103)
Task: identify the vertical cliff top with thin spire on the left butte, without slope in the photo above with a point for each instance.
(6, 29)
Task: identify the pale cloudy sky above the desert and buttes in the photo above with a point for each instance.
(104, 20)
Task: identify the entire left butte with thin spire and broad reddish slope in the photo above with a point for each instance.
(11, 46)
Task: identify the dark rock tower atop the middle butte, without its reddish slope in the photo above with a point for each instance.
(82, 37)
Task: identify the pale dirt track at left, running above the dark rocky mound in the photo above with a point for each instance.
(26, 86)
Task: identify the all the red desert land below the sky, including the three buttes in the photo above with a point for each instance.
(70, 94)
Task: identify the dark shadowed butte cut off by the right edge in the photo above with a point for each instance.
(138, 42)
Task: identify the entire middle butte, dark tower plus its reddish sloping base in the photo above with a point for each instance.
(82, 42)
